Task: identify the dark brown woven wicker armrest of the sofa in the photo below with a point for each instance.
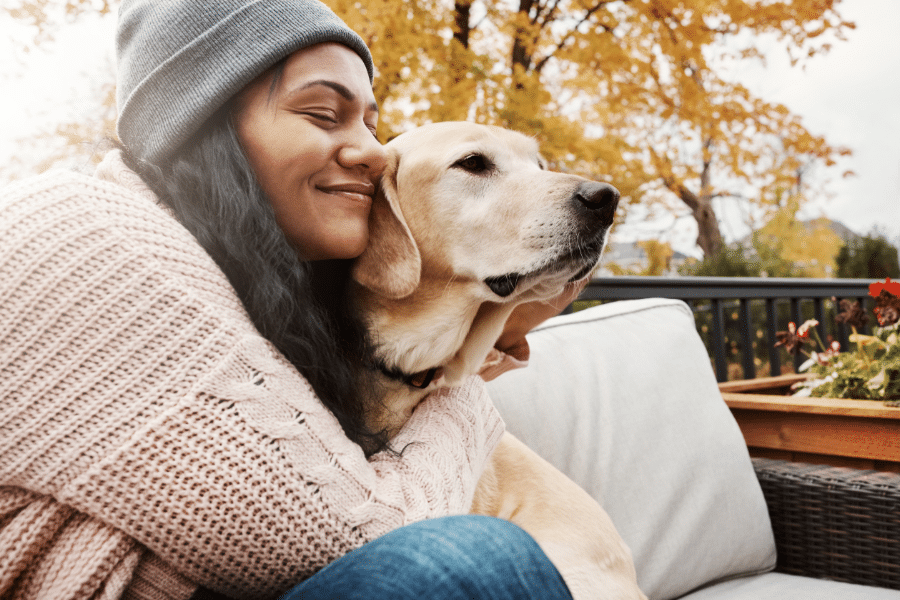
(834, 523)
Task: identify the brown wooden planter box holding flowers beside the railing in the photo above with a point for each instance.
(861, 434)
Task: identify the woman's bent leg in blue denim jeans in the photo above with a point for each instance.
(452, 558)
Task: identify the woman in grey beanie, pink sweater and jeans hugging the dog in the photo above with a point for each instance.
(157, 438)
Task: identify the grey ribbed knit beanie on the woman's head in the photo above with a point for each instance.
(179, 61)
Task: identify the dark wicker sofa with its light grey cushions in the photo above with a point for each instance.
(622, 398)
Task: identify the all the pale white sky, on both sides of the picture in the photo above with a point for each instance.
(850, 95)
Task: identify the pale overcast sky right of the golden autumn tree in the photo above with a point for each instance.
(851, 96)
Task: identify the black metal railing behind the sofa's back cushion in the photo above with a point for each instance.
(715, 300)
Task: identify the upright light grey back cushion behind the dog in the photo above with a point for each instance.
(623, 399)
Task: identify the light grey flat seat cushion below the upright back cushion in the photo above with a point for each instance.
(777, 586)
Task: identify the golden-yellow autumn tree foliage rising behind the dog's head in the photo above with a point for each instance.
(633, 91)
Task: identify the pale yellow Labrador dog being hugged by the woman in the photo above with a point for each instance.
(467, 224)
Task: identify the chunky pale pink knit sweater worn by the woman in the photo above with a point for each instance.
(151, 440)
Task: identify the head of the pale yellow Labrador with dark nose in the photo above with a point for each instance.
(472, 203)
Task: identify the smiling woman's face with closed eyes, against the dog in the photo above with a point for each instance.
(311, 142)
